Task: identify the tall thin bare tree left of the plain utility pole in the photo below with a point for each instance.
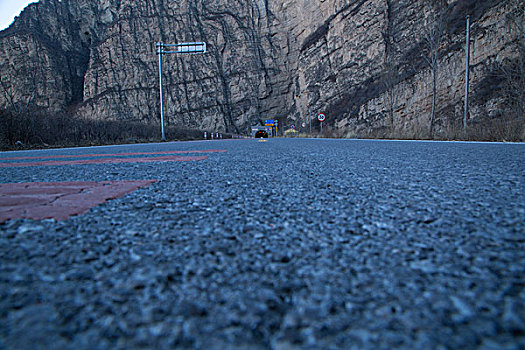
(433, 31)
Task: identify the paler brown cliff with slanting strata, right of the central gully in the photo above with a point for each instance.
(365, 66)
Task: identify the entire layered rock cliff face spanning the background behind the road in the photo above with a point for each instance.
(362, 62)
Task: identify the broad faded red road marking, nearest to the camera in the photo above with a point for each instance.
(59, 200)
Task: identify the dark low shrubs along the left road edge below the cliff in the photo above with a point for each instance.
(37, 129)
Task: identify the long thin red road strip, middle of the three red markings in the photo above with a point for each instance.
(105, 161)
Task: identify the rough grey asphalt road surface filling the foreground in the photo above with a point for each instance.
(284, 244)
